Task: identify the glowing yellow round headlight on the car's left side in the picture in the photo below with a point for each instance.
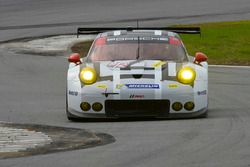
(88, 75)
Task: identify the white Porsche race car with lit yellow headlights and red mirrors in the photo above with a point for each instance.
(137, 73)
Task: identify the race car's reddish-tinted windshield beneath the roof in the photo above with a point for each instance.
(112, 49)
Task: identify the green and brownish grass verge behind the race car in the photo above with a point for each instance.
(223, 42)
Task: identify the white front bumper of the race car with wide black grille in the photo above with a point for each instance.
(128, 102)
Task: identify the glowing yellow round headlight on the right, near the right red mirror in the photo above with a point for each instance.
(186, 75)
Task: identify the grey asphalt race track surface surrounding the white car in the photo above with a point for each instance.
(32, 89)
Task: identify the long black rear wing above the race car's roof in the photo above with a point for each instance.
(178, 30)
